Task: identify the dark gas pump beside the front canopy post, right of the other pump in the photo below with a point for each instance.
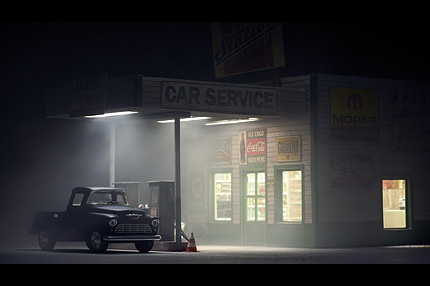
(162, 204)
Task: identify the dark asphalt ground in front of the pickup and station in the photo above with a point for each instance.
(77, 253)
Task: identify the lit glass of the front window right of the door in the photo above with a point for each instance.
(292, 196)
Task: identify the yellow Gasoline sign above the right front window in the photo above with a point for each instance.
(288, 149)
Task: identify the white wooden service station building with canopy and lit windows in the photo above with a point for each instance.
(321, 160)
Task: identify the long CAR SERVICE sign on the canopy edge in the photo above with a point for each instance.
(218, 98)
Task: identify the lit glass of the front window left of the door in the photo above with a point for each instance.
(222, 185)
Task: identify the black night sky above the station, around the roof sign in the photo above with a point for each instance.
(35, 55)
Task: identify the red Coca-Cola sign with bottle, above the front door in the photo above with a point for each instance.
(252, 147)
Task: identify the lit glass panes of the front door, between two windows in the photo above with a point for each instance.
(256, 197)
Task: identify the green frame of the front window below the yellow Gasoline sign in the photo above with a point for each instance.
(278, 170)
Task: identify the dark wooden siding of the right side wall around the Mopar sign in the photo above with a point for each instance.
(337, 204)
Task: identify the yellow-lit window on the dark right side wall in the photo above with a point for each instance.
(394, 203)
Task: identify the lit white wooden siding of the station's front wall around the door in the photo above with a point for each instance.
(294, 105)
